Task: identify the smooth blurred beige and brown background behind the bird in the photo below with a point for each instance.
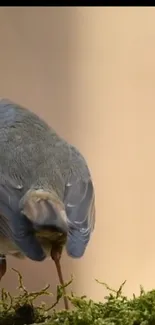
(91, 73)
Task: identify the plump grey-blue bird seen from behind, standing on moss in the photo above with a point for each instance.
(47, 196)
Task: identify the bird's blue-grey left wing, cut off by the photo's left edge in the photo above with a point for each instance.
(15, 225)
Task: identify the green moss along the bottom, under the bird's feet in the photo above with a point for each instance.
(116, 309)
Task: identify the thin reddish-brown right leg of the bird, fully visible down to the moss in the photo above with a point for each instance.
(56, 255)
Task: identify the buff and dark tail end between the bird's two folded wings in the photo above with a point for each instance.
(46, 212)
